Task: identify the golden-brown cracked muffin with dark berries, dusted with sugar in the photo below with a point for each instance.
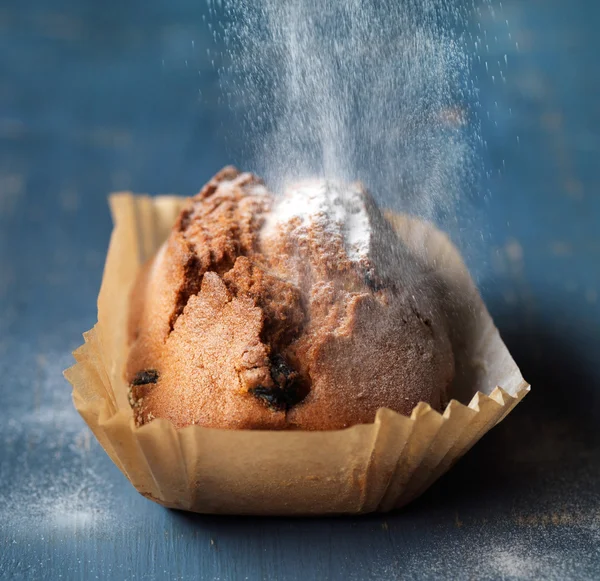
(299, 311)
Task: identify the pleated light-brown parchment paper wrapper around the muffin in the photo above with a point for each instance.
(365, 468)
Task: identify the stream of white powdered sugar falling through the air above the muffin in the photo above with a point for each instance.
(376, 91)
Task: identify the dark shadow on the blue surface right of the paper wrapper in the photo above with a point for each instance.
(551, 441)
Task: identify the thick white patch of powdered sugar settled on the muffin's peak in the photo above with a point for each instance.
(336, 207)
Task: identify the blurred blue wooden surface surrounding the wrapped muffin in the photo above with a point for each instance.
(96, 96)
